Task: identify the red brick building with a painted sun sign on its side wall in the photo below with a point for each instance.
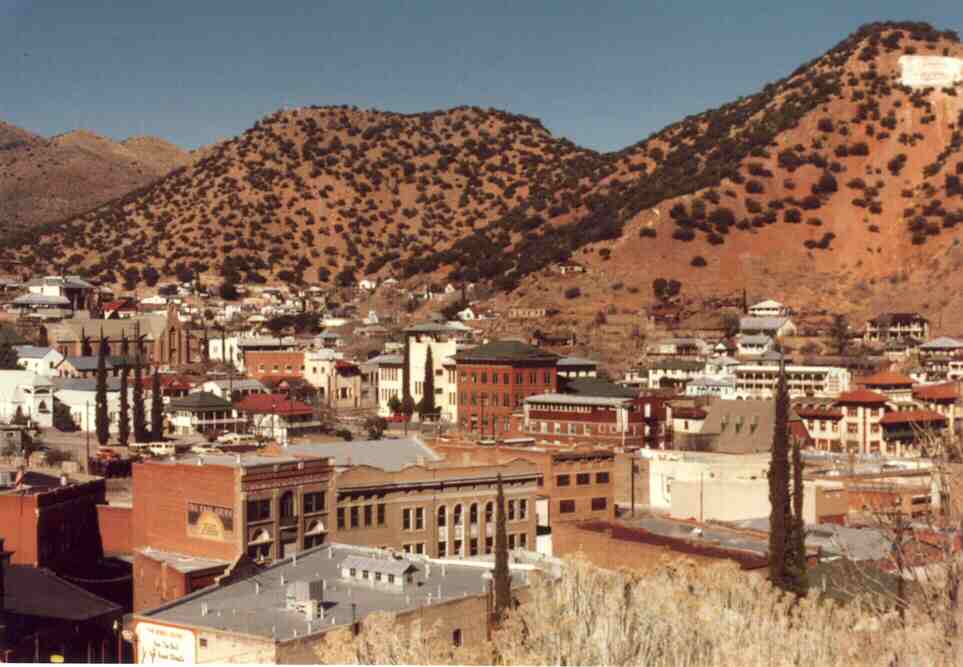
(193, 518)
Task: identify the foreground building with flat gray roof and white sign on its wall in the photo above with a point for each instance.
(284, 613)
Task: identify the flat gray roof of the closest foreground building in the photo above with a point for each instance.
(257, 605)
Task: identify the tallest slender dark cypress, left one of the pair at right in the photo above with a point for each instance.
(779, 487)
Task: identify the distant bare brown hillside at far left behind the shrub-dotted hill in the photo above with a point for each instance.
(44, 180)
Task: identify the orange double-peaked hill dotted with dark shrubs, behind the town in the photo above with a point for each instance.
(837, 186)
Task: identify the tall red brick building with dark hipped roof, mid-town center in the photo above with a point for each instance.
(495, 378)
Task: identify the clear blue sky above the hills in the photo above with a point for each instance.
(602, 74)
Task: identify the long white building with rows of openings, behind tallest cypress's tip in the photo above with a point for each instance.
(758, 380)
